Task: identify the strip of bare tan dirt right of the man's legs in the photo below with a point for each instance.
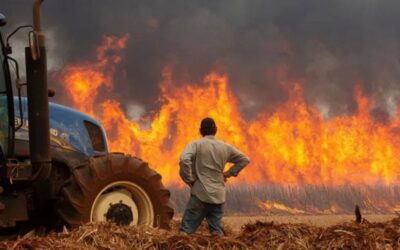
(236, 222)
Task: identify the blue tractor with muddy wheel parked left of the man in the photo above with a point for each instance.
(55, 166)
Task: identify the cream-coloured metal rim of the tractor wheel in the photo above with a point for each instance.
(128, 194)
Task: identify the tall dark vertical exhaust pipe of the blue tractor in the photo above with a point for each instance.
(38, 104)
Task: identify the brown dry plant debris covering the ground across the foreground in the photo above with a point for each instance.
(258, 235)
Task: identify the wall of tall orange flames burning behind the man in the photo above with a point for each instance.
(294, 144)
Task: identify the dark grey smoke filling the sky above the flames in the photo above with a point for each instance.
(263, 45)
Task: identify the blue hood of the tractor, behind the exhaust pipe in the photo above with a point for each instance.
(69, 129)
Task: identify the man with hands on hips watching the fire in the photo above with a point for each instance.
(202, 167)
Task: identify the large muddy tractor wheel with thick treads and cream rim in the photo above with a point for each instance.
(88, 193)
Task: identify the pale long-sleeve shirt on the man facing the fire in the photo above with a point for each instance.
(202, 165)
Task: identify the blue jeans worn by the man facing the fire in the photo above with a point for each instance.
(195, 213)
